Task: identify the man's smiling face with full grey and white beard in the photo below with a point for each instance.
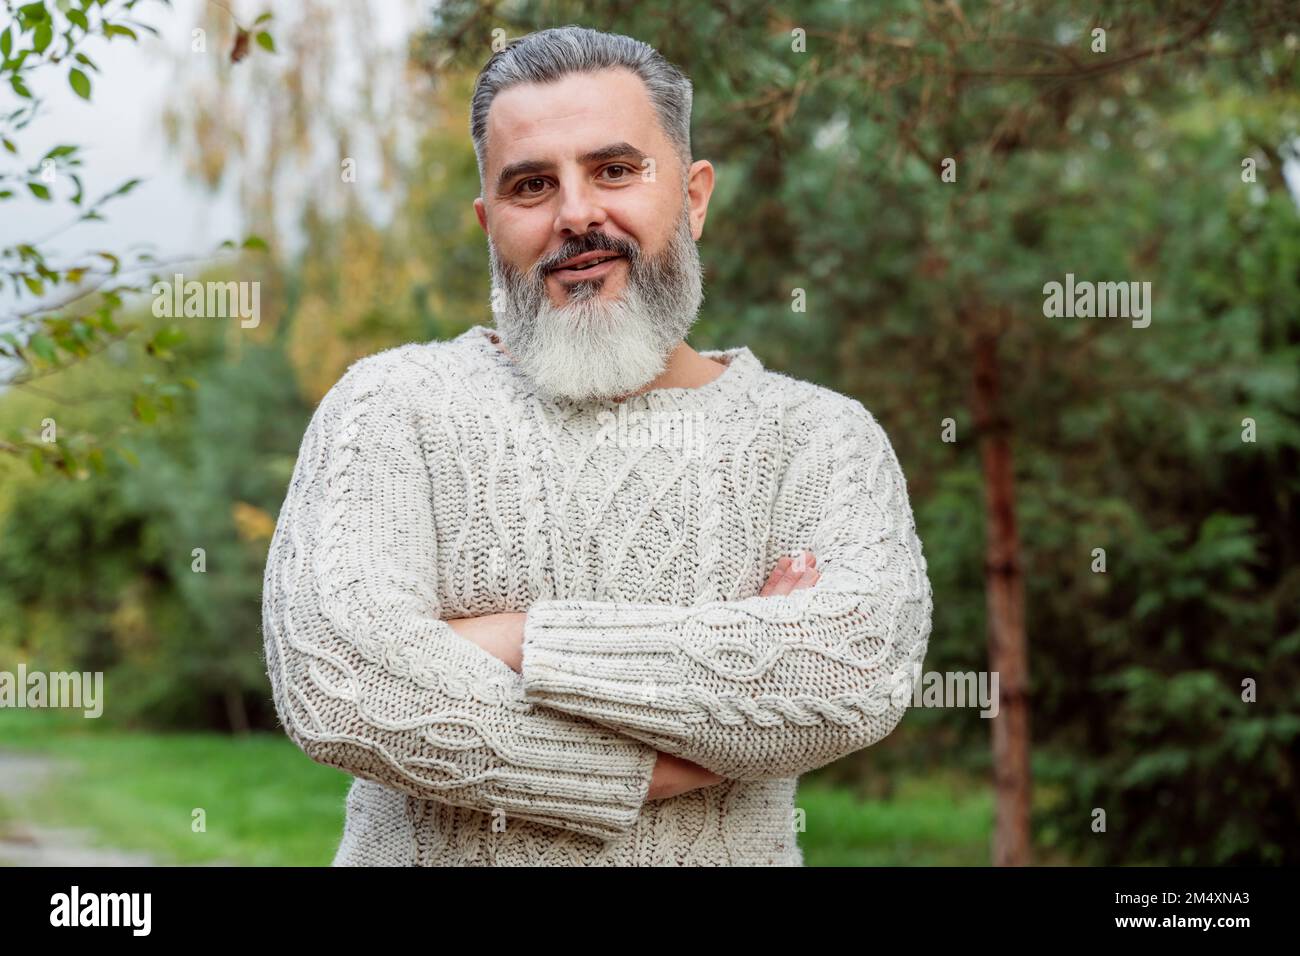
(580, 168)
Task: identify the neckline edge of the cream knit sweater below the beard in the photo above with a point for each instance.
(743, 370)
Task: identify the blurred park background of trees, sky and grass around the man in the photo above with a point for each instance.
(1110, 513)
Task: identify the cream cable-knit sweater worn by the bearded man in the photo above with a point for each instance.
(436, 483)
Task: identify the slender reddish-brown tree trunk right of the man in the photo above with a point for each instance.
(1006, 587)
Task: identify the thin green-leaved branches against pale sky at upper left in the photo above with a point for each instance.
(67, 310)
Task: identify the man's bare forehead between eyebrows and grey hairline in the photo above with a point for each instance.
(577, 114)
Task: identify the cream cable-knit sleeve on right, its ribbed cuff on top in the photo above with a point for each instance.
(765, 687)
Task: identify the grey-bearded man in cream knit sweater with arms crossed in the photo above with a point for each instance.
(534, 635)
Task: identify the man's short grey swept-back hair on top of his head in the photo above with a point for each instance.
(548, 55)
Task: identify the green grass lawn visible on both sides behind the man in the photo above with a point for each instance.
(270, 806)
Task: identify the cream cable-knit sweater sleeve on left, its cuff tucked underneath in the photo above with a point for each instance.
(366, 676)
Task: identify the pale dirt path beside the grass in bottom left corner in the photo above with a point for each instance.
(28, 845)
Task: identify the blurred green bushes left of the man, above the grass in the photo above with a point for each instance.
(102, 574)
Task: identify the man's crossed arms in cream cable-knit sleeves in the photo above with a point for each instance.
(612, 704)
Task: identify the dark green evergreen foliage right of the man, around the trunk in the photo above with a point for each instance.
(1125, 166)
